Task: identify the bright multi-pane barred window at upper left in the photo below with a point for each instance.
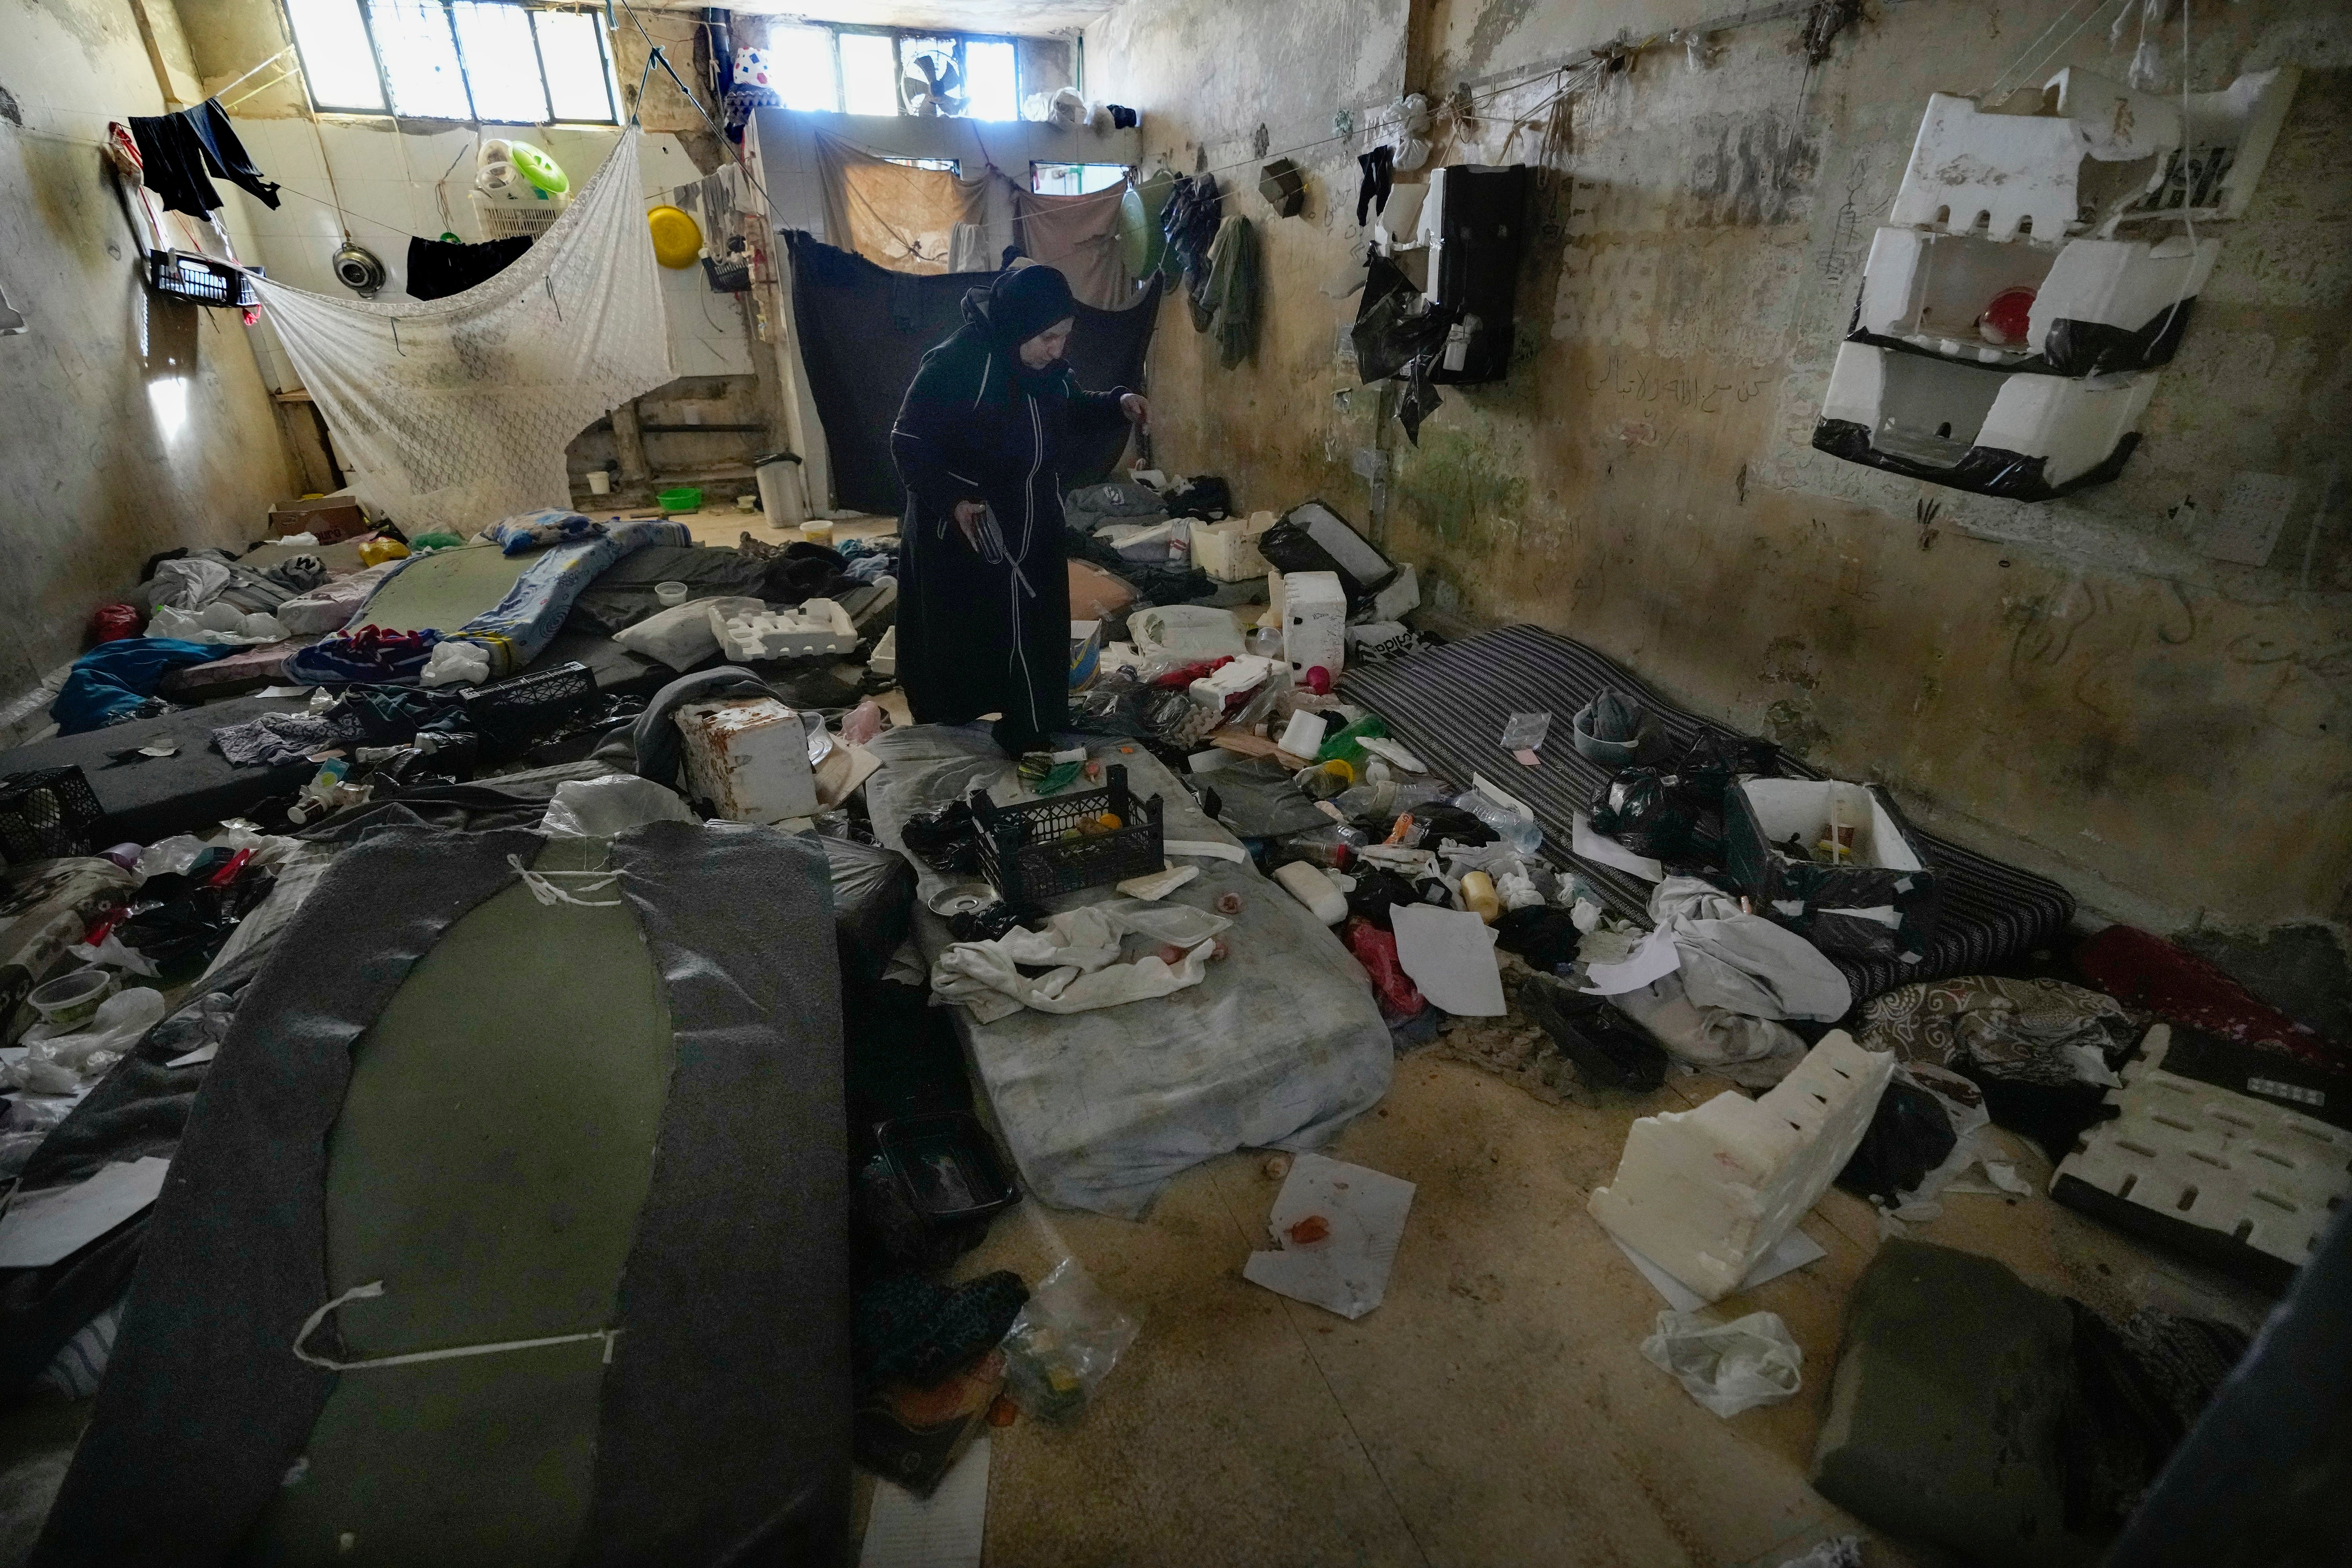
(455, 60)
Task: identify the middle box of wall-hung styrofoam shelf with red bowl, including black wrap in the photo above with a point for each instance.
(2099, 307)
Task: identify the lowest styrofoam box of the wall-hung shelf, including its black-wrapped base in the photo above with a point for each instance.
(2000, 434)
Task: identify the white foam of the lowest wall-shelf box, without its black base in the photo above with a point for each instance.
(1937, 410)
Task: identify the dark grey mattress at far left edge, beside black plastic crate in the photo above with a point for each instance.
(161, 796)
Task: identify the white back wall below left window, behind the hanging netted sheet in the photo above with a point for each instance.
(401, 182)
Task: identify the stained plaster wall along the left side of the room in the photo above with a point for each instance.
(128, 427)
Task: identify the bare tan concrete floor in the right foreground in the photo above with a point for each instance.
(1495, 1409)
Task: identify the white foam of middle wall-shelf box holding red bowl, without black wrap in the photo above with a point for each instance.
(1930, 290)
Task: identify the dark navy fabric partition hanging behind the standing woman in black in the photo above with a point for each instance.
(864, 330)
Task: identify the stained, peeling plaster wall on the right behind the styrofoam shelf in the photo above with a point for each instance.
(2073, 685)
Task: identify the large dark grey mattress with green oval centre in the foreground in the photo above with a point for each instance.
(599, 1141)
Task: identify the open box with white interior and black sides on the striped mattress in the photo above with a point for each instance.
(1880, 902)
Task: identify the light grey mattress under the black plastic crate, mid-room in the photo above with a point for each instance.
(1278, 1047)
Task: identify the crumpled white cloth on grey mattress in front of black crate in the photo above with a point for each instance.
(1083, 946)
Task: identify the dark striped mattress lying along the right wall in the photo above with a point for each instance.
(1450, 706)
